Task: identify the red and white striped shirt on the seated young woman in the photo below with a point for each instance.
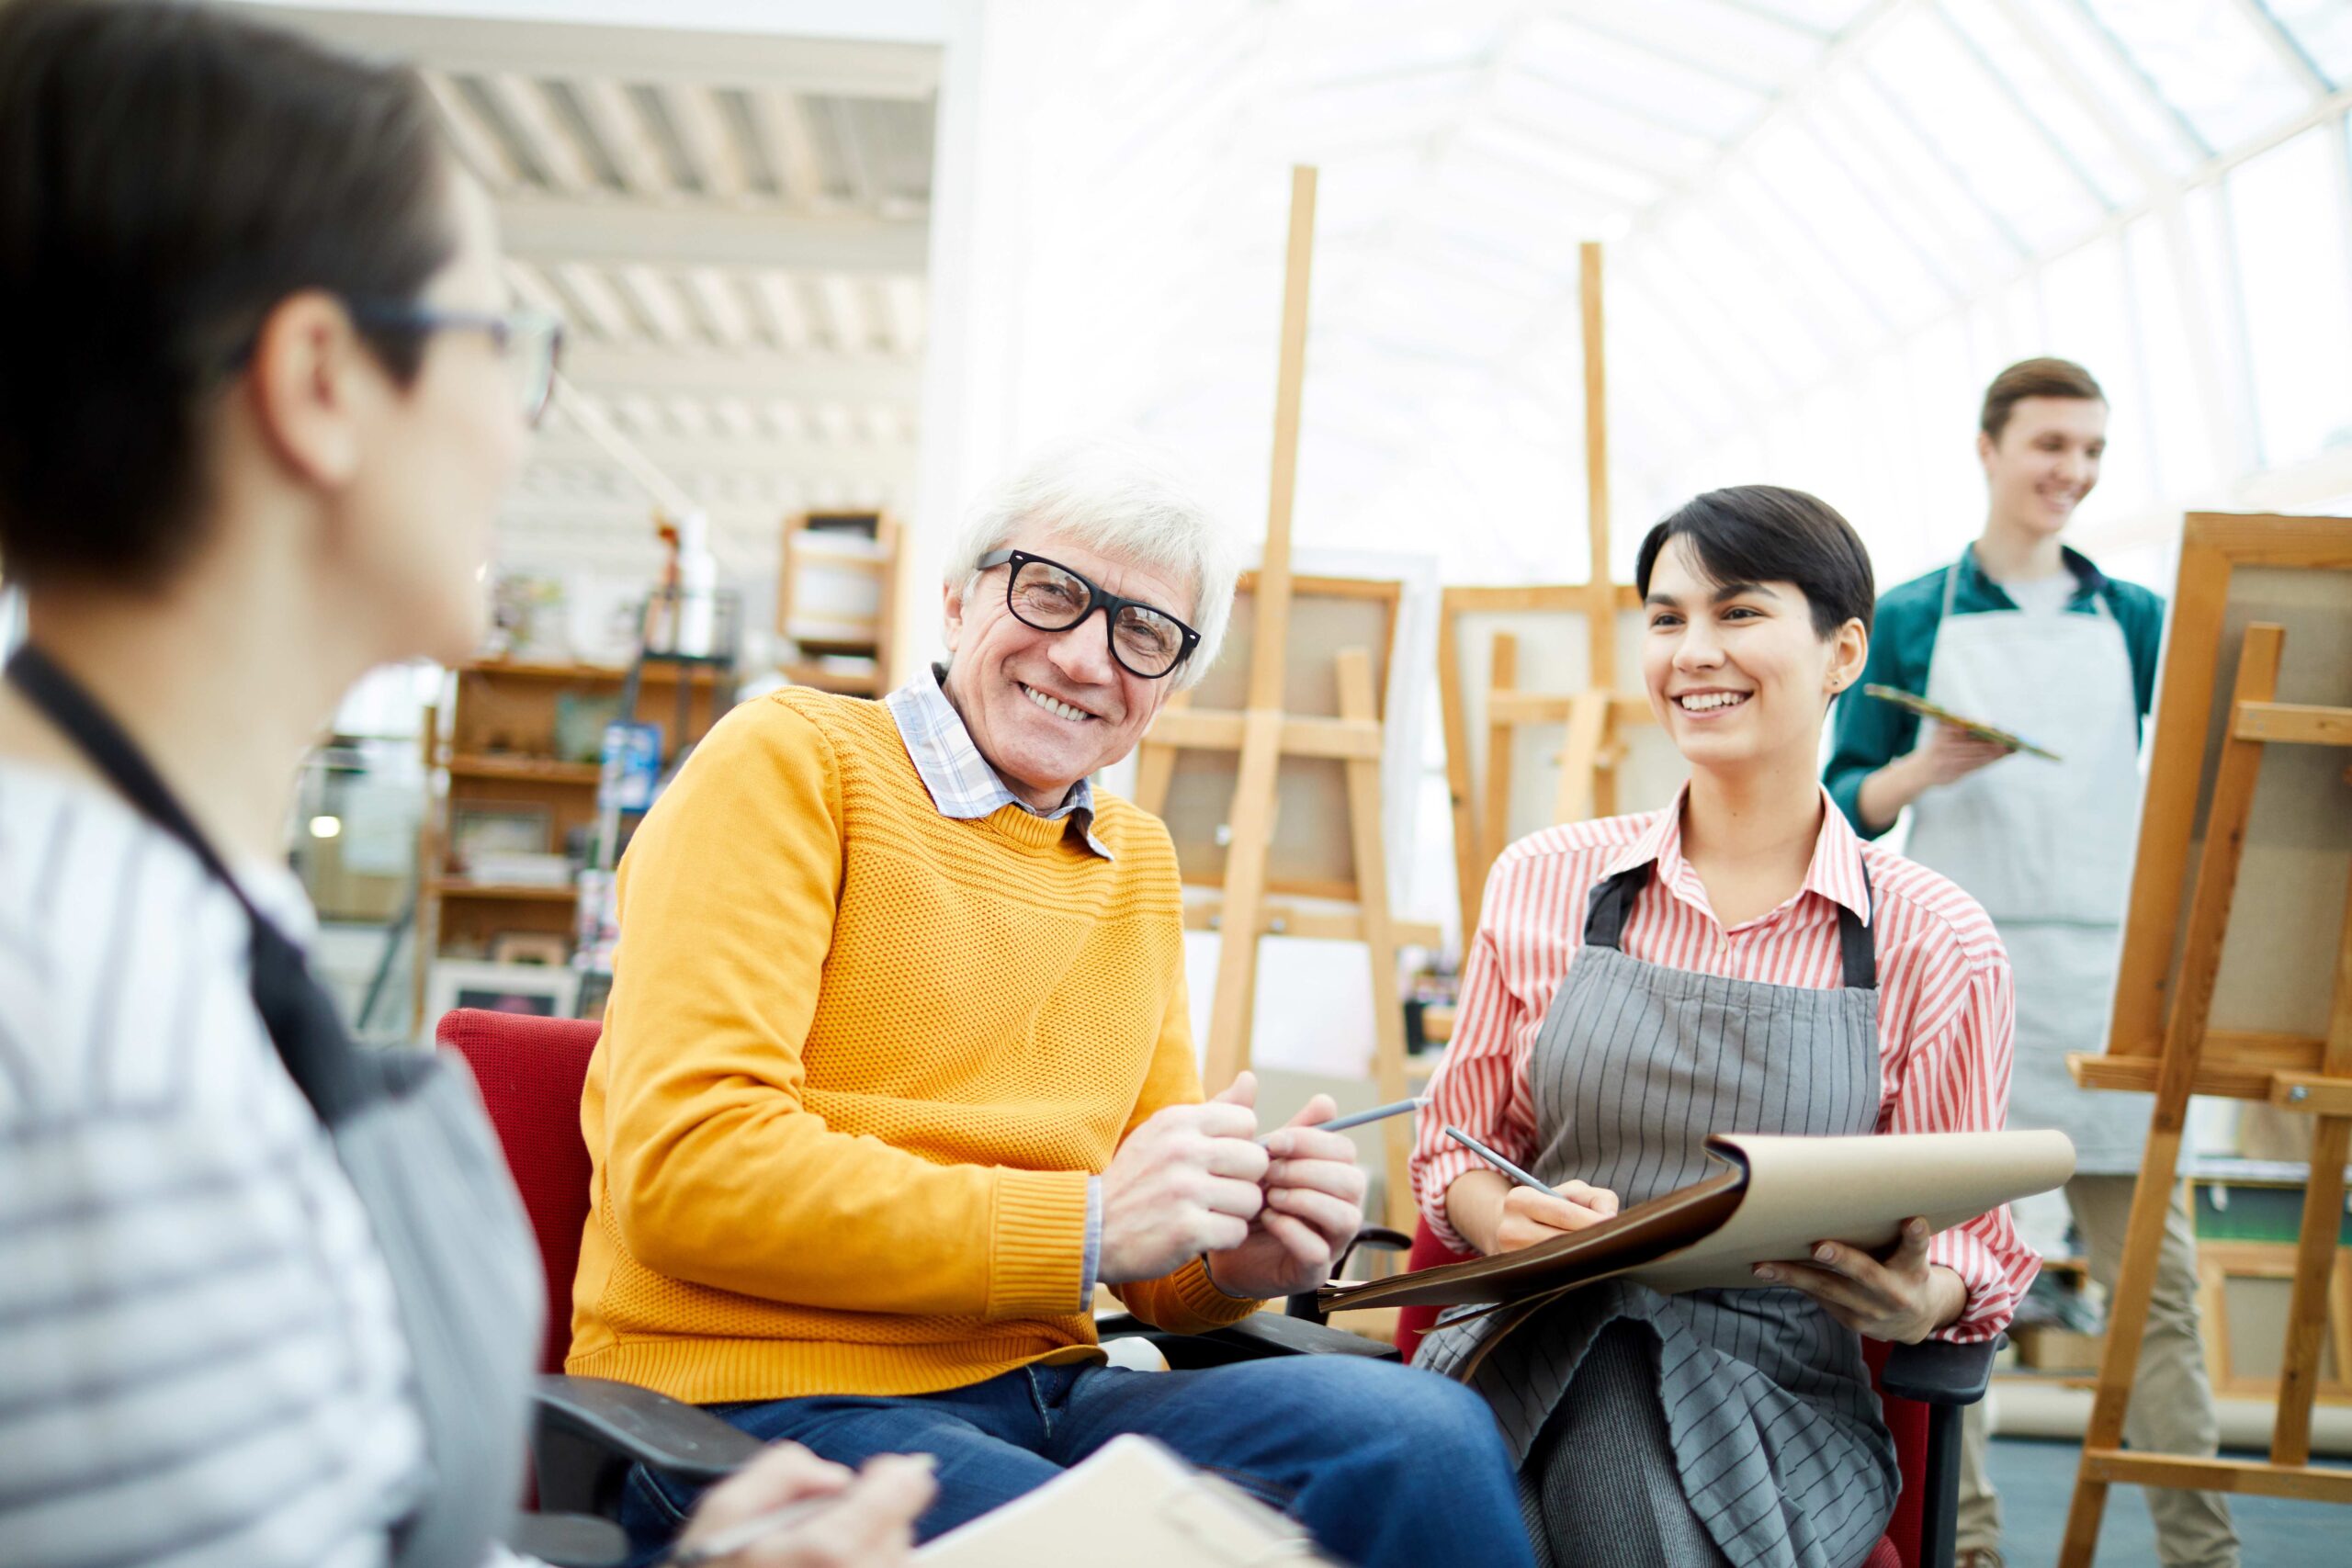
(1946, 1003)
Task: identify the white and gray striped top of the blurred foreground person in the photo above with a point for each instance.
(201, 1360)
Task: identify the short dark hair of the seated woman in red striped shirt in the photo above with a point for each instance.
(1770, 535)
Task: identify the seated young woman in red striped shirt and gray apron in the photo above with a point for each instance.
(1735, 963)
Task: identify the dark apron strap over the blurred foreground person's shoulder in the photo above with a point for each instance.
(295, 1012)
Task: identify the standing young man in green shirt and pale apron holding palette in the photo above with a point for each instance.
(2031, 636)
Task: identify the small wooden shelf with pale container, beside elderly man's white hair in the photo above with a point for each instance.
(836, 601)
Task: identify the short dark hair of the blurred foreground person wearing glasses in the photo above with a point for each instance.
(168, 175)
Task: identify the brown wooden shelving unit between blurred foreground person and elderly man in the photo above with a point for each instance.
(514, 805)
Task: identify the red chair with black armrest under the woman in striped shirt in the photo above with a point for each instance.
(1920, 1391)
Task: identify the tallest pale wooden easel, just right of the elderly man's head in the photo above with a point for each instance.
(1264, 735)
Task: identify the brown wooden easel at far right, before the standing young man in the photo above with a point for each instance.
(2189, 1057)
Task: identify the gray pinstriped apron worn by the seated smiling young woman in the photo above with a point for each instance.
(1770, 1409)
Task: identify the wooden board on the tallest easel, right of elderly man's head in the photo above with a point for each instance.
(1311, 852)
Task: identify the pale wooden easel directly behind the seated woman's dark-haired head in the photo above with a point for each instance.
(1596, 716)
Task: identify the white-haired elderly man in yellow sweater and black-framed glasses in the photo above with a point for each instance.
(897, 1068)
